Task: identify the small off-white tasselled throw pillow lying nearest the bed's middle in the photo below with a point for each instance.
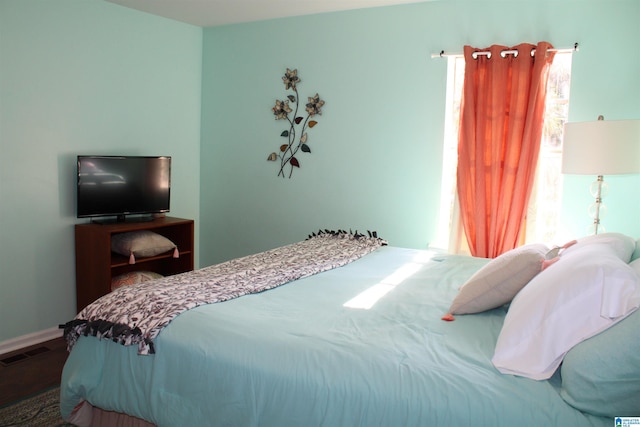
(499, 281)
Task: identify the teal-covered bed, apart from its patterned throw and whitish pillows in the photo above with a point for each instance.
(358, 344)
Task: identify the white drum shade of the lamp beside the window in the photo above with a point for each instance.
(603, 147)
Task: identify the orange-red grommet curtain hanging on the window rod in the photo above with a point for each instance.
(501, 122)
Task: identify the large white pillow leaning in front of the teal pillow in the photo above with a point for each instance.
(582, 294)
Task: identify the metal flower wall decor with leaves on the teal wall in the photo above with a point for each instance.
(296, 134)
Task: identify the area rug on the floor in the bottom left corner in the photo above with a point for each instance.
(42, 409)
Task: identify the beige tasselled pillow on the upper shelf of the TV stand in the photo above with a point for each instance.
(142, 244)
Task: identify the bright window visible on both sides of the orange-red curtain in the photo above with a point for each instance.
(544, 205)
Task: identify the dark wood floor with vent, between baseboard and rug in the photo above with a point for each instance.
(30, 370)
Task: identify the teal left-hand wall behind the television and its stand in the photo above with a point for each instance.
(82, 77)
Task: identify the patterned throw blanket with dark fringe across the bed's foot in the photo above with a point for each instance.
(136, 314)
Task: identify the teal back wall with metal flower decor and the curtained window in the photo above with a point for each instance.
(376, 152)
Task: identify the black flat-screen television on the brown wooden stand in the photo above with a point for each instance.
(123, 185)
